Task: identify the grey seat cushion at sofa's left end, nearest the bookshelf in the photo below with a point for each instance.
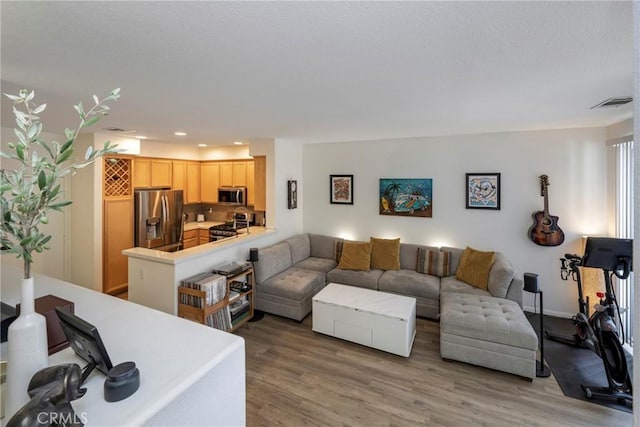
(293, 283)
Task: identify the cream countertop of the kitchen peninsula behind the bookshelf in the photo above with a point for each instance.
(196, 251)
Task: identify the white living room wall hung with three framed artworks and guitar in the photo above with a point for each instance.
(574, 160)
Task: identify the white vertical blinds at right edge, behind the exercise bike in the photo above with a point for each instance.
(624, 228)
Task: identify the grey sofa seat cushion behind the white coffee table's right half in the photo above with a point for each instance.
(410, 282)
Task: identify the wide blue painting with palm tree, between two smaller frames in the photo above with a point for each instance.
(406, 197)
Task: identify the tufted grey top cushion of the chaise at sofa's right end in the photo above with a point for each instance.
(486, 318)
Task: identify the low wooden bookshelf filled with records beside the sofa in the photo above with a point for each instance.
(200, 314)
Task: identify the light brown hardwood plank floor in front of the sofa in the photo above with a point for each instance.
(298, 377)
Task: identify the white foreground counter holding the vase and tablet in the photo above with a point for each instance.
(190, 374)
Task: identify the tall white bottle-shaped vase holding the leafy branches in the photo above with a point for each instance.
(27, 350)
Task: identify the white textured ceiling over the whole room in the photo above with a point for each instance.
(321, 71)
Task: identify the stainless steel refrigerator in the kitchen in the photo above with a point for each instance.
(158, 219)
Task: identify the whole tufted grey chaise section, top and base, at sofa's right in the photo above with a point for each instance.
(487, 331)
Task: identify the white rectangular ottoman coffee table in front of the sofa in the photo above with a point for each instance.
(376, 319)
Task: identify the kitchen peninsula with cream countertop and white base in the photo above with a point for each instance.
(154, 276)
